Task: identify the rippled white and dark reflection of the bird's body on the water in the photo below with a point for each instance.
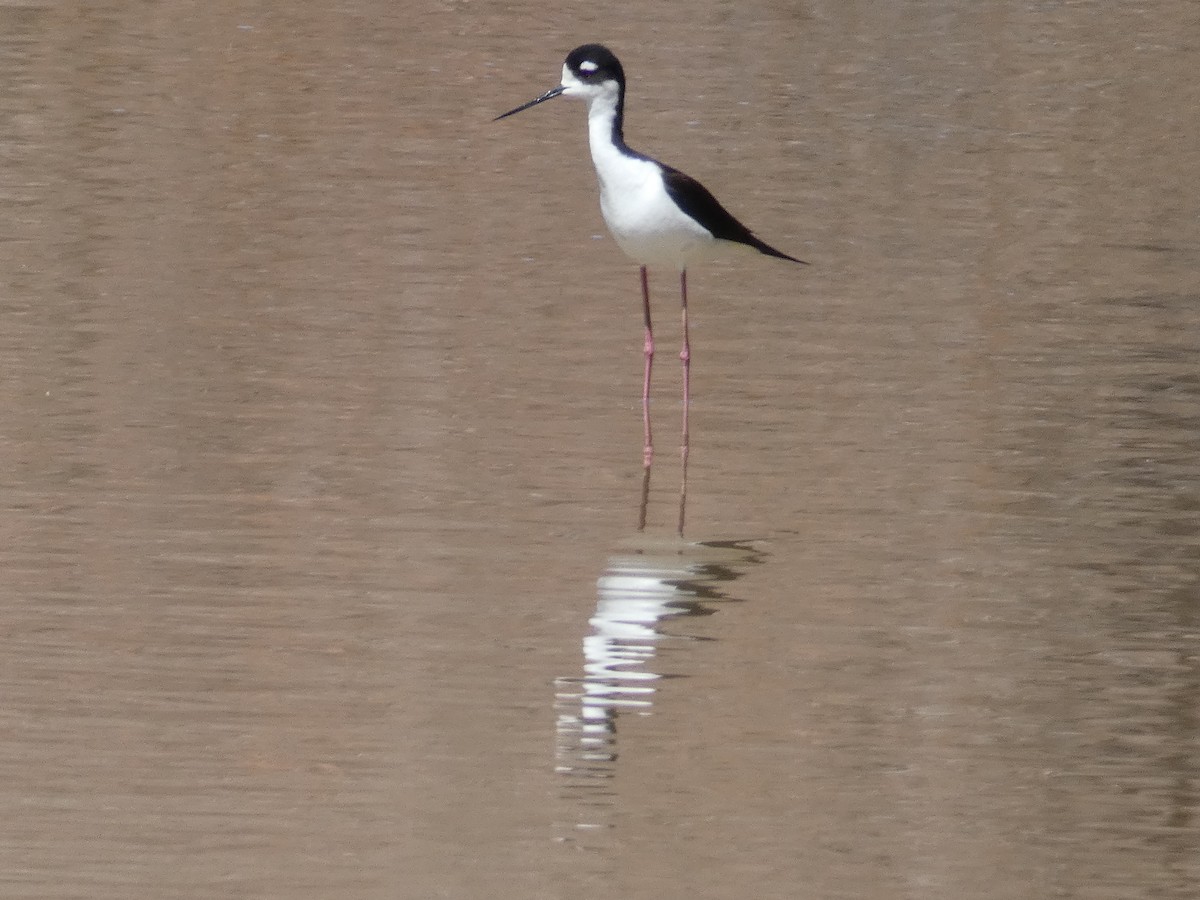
(647, 591)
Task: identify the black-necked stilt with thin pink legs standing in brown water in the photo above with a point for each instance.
(658, 215)
